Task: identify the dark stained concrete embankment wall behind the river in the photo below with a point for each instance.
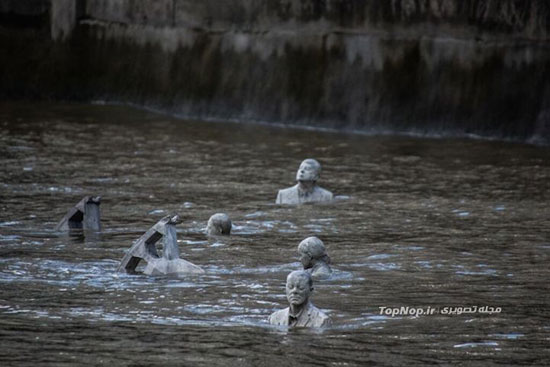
(426, 66)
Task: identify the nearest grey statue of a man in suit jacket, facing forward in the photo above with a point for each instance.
(301, 312)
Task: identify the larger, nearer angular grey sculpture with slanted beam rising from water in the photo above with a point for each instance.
(145, 249)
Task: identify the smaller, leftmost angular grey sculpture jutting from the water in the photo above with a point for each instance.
(84, 215)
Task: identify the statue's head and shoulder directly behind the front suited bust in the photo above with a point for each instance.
(314, 258)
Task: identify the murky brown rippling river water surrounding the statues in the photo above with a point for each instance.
(439, 223)
